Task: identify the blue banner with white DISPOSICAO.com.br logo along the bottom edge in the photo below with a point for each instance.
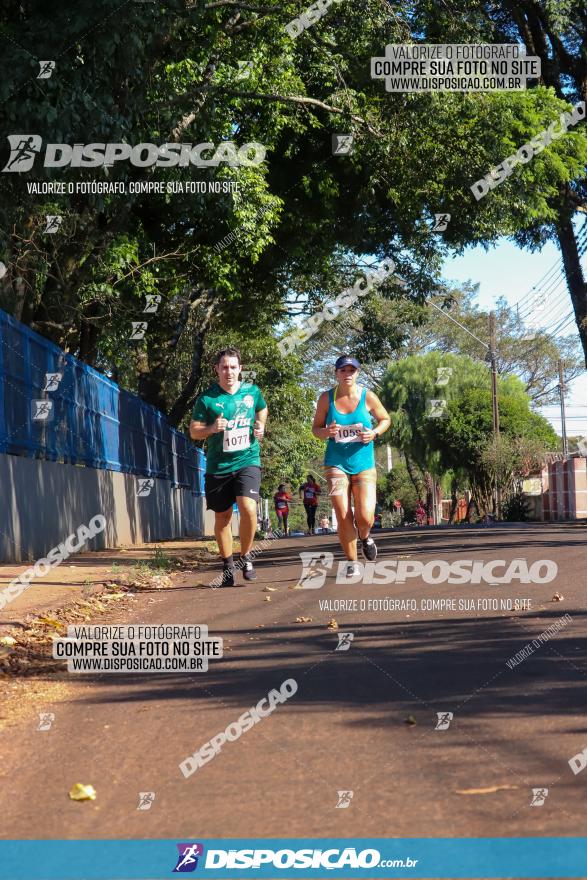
(275, 858)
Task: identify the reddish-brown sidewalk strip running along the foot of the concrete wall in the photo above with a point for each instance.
(87, 574)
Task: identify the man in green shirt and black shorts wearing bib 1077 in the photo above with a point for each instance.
(231, 416)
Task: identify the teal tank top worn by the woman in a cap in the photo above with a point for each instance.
(346, 452)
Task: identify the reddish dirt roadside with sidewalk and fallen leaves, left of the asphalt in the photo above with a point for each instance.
(83, 588)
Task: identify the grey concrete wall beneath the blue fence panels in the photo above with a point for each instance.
(42, 502)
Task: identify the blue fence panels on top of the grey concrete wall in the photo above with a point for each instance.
(55, 407)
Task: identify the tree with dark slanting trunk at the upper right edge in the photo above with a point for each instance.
(556, 32)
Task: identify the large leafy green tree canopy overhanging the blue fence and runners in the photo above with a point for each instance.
(303, 220)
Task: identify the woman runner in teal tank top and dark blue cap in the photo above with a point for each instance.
(344, 418)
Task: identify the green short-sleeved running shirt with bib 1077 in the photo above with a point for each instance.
(235, 448)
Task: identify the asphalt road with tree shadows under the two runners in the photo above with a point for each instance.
(346, 727)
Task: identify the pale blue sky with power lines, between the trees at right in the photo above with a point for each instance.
(508, 271)
